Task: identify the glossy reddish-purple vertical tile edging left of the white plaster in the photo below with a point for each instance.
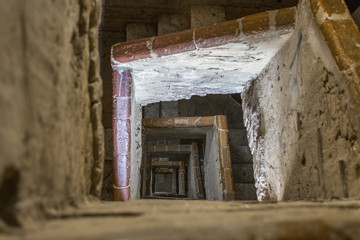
(122, 80)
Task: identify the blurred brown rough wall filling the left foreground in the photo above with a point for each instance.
(51, 135)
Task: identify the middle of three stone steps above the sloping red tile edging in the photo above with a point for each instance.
(168, 23)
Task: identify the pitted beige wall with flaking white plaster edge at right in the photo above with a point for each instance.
(302, 119)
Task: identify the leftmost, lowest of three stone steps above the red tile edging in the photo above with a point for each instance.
(140, 30)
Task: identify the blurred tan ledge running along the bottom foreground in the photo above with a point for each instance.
(181, 219)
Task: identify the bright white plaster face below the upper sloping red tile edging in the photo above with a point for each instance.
(217, 70)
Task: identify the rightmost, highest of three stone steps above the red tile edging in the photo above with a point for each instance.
(205, 15)
